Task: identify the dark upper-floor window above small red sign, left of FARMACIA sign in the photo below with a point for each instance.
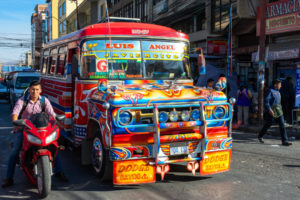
(221, 12)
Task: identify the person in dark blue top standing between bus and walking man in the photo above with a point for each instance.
(243, 103)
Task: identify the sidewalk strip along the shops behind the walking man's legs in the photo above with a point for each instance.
(273, 130)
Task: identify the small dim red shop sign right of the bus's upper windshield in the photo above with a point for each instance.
(216, 46)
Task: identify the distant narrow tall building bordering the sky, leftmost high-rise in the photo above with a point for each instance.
(38, 33)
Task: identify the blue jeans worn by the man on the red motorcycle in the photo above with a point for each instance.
(13, 157)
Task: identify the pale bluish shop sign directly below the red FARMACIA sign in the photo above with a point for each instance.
(279, 55)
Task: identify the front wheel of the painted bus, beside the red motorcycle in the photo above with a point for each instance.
(100, 160)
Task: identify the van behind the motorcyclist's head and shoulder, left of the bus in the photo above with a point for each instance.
(20, 81)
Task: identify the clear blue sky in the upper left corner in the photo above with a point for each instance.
(15, 18)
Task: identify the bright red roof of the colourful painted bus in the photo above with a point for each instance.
(122, 29)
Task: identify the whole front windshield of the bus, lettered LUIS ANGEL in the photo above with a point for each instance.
(134, 59)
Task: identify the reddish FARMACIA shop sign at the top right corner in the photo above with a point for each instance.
(282, 16)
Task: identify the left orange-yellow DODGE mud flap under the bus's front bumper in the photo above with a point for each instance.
(133, 172)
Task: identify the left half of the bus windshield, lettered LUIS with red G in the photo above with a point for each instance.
(115, 59)
